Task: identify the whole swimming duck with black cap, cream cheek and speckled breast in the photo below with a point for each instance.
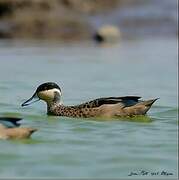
(108, 107)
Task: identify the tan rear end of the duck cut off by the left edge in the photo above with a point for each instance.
(9, 129)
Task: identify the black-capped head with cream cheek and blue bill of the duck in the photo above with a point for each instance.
(49, 92)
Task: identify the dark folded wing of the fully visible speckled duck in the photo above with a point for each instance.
(124, 101)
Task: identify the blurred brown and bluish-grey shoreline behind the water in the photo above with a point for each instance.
(76, 20)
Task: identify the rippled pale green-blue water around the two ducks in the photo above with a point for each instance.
(67, 147)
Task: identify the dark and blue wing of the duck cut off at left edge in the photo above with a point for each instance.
(10, 122)
